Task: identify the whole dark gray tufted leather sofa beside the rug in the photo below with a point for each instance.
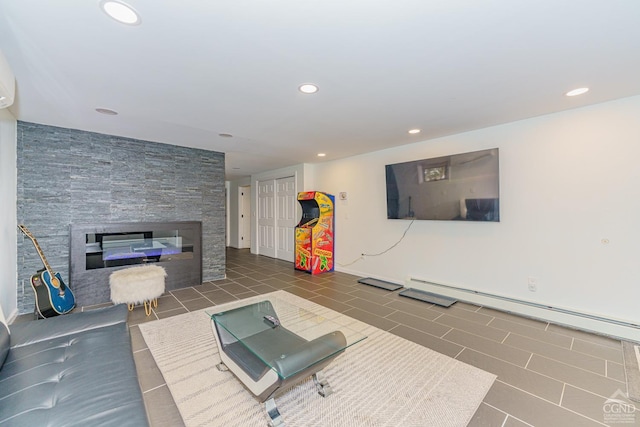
(70, 370)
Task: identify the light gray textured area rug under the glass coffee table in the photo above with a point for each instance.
(383, 381)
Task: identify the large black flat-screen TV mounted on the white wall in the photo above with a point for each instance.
(459, 187)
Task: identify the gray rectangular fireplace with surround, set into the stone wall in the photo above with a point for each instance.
(97, 250)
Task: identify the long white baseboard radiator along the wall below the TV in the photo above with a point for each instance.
(574, 319)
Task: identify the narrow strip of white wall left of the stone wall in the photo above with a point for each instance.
(8, 224)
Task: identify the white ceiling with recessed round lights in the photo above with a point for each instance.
(194, 69)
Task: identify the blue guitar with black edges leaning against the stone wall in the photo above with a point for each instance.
(53, 297)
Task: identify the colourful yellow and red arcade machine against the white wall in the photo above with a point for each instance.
(314, 233)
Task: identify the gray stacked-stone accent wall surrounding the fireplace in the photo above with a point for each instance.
(69, 176)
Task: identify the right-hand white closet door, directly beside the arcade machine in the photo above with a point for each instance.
(286, 218)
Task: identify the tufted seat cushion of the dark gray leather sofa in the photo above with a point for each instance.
(83, 379)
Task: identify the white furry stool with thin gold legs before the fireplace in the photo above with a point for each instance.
(137, 285)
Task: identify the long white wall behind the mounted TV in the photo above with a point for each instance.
(568, 182)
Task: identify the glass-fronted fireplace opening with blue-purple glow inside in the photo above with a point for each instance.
(137, 247)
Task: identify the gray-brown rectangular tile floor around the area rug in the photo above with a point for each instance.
(548, 375)
